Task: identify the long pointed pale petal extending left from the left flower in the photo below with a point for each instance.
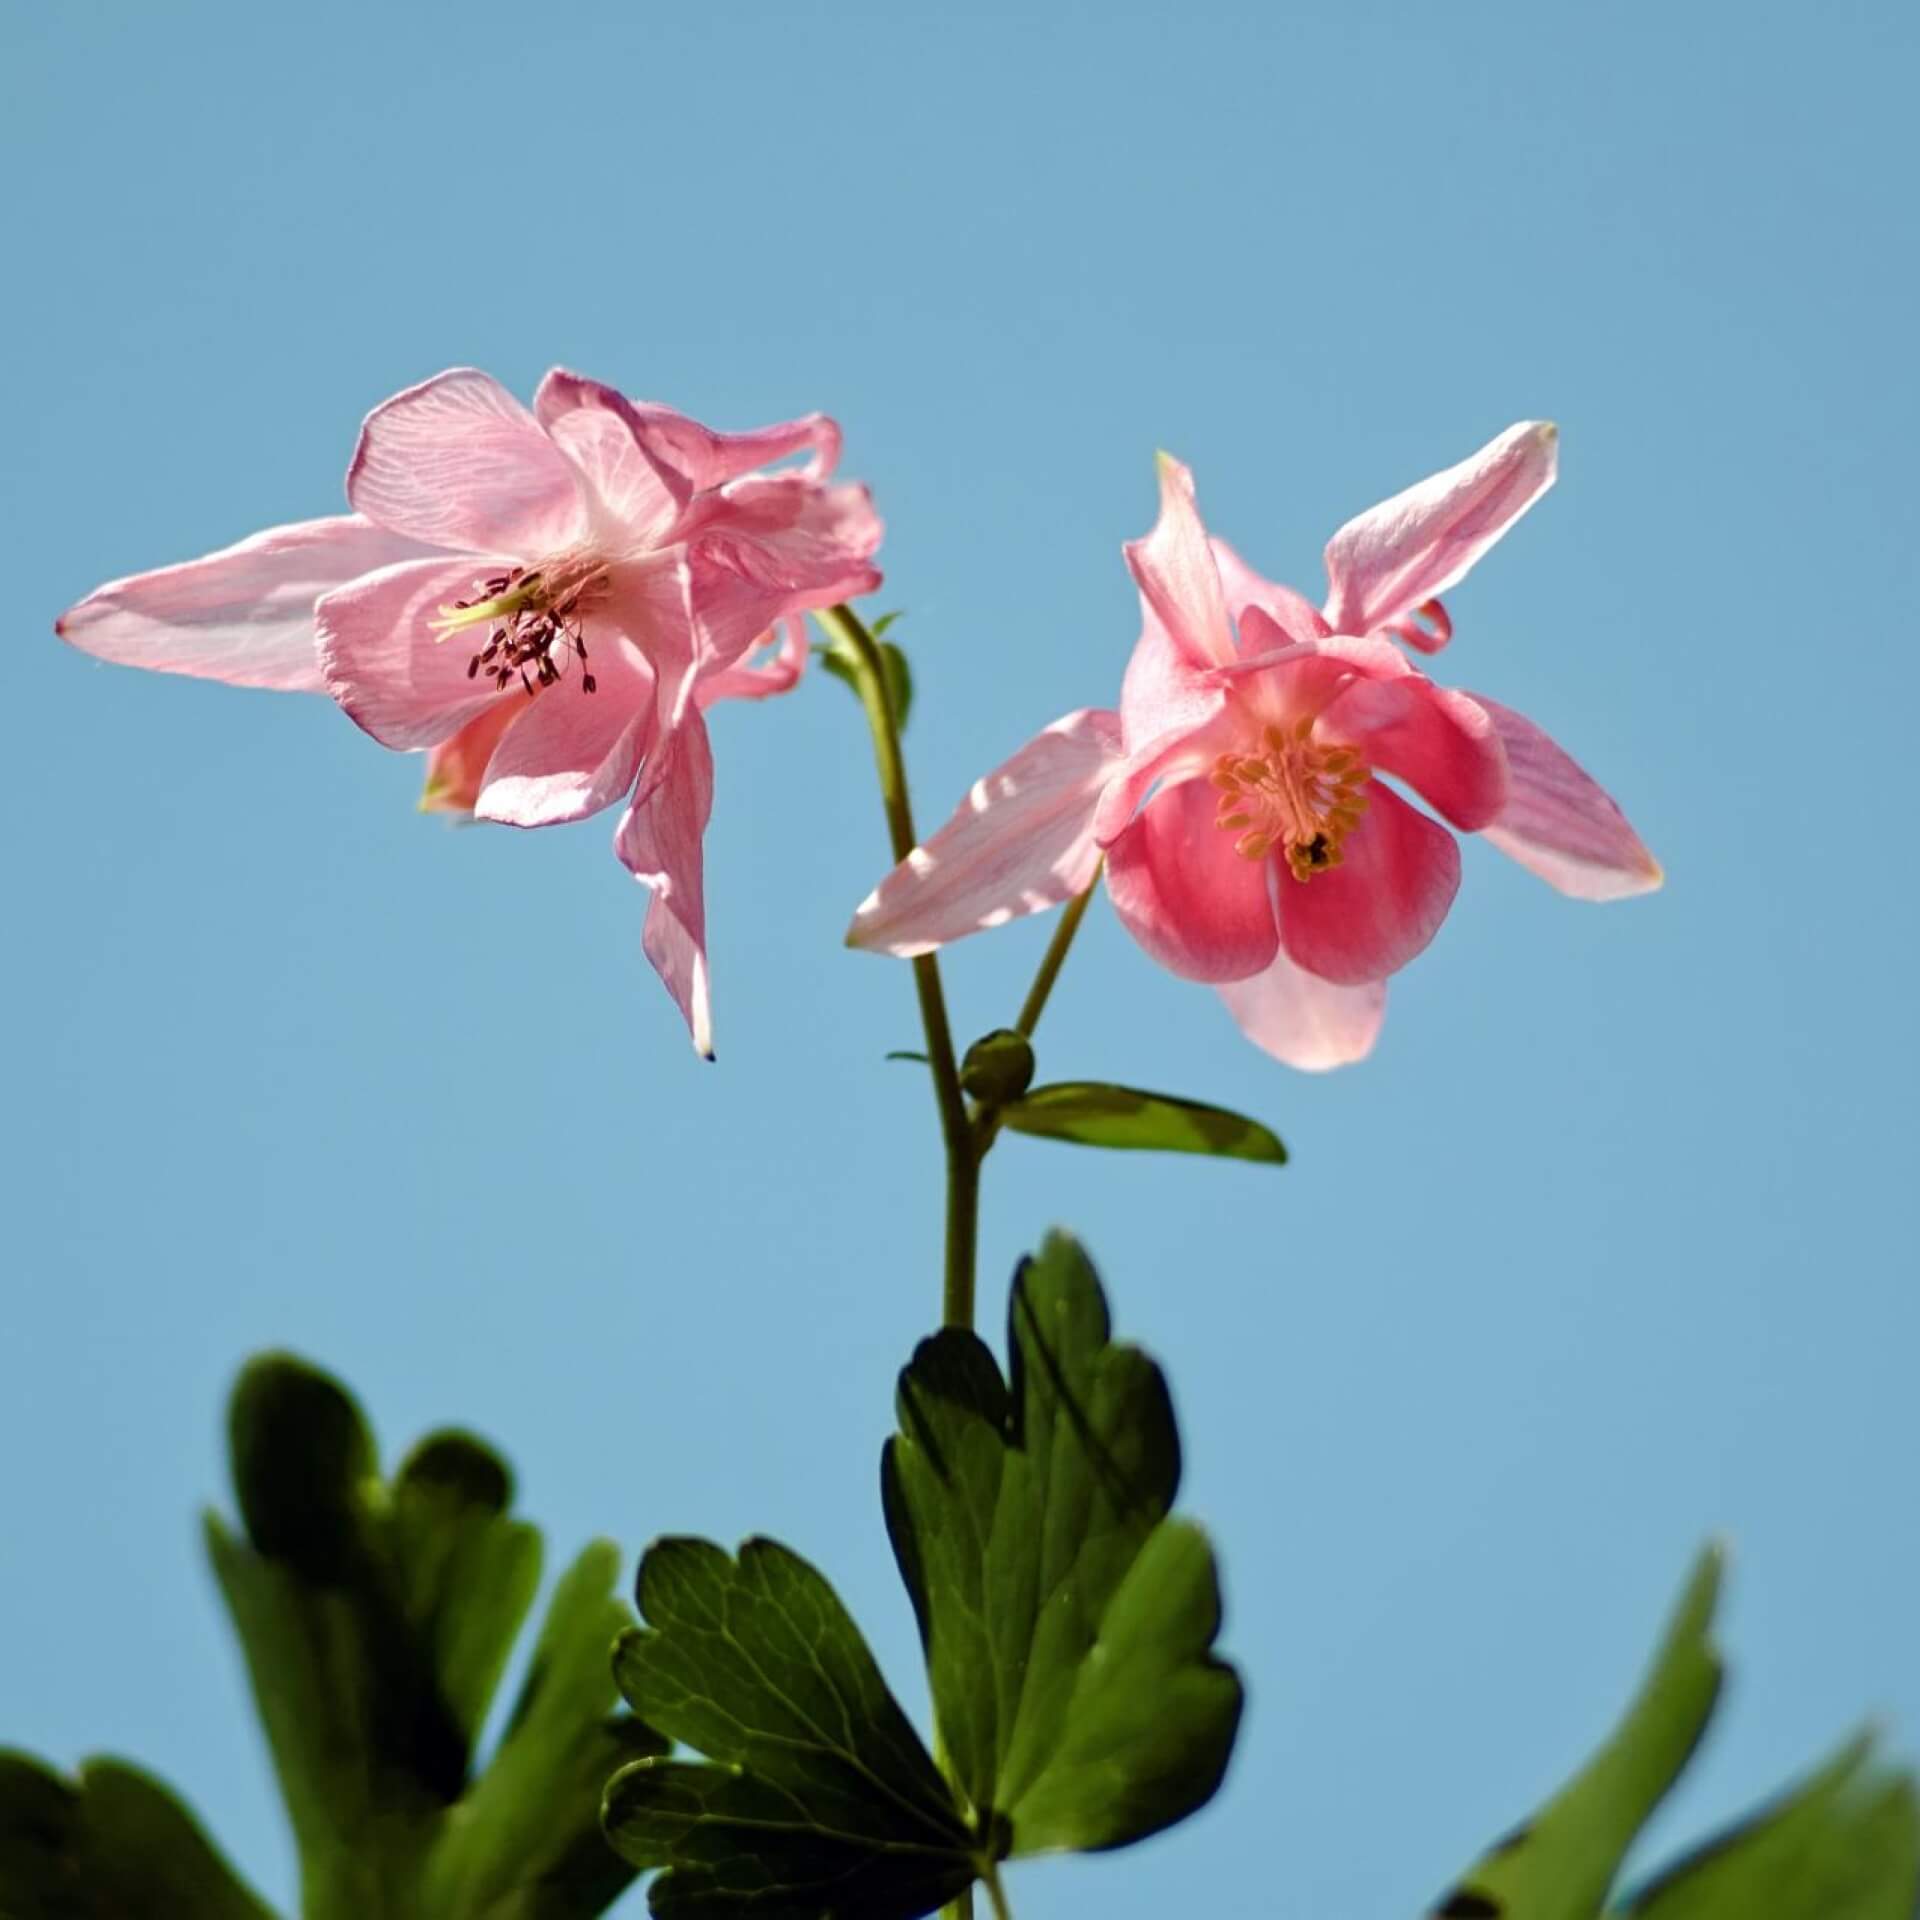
(243, 615)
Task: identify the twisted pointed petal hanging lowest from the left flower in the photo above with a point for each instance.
(660, 842)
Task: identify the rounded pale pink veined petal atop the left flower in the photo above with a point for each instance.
(460, 464)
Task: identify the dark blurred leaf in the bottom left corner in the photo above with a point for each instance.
(110, 1846)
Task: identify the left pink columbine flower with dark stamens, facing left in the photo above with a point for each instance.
(542, 600)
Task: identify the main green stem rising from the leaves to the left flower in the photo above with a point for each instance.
(848, 631)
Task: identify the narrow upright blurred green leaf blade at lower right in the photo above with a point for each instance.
(1562, 1865)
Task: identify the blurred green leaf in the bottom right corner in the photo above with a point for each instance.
(1842, 1846)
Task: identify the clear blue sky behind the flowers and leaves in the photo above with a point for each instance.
(1608, 1249)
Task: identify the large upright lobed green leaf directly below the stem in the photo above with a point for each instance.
(1068, 1620)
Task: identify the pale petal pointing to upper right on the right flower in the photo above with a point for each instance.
(1397, 556)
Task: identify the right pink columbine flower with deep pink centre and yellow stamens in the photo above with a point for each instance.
(1237, 796)
